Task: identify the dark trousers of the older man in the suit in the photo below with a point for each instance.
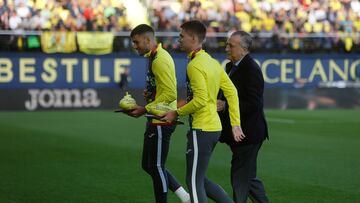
(243, 175)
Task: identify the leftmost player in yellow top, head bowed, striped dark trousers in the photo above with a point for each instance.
(160, 87)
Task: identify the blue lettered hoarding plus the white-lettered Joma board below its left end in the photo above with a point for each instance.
(56, 80)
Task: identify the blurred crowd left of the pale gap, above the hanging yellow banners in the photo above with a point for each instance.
(69, 15)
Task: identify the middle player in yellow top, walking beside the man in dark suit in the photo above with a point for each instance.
(205, 77)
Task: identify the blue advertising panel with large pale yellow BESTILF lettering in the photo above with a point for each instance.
(39, 70)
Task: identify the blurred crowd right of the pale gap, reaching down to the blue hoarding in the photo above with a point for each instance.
(295, 25)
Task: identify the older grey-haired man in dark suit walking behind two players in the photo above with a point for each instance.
(247, 77)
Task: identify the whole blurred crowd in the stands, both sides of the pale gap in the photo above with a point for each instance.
(277, 25)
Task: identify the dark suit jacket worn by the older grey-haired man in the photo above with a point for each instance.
(249, 82)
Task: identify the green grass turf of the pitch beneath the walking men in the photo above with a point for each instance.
(95, 156)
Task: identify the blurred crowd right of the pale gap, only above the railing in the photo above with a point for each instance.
(301, 16)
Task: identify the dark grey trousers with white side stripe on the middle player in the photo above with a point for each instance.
(200, 146)
